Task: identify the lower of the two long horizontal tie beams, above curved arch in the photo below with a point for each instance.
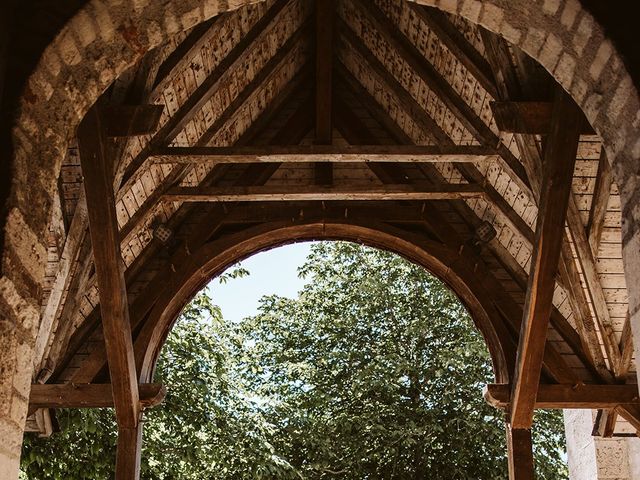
(322, 193)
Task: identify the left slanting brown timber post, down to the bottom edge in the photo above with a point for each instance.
(97, 170)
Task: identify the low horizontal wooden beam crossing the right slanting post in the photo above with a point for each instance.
(568, 396)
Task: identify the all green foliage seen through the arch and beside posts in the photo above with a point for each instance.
(373, 372)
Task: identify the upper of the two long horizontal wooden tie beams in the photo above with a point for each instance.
(325, 153)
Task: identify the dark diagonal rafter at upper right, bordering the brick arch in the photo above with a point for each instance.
(458, 45)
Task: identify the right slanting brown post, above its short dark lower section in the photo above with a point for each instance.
(560, 157)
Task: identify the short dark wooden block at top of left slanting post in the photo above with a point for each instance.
(131, 120)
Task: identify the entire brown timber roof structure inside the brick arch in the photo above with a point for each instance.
(382, 122)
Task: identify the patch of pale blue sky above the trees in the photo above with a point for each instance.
(271, 272)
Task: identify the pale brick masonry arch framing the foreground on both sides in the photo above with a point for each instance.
(108, 36)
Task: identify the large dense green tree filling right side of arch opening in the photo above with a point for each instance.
(376, 371)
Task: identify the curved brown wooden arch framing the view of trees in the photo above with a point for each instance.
(213, 258)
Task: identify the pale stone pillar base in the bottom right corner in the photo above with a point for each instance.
(594, 458)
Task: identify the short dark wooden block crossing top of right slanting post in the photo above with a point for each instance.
(532, 118)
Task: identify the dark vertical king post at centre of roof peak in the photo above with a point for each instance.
(324, 98)
